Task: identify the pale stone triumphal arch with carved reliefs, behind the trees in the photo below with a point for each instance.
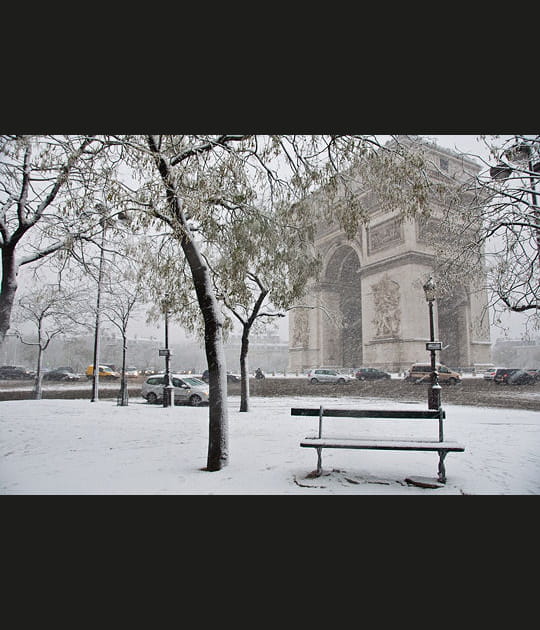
(368, 307)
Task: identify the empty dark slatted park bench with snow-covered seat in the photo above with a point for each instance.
(440, 445)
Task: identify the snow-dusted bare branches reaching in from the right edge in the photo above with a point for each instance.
(489, 235)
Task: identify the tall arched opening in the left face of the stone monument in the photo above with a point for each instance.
(341, 293)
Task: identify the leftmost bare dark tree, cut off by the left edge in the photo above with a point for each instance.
(45, 183)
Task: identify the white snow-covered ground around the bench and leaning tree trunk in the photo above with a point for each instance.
(79, 447)
